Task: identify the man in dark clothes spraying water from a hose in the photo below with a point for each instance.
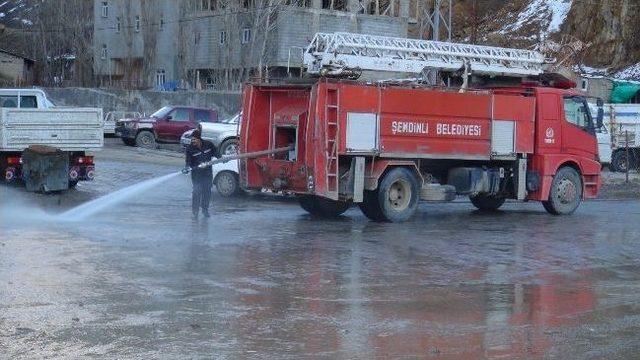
(198, 152)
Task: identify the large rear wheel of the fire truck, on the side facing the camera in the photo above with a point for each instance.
(395, 199)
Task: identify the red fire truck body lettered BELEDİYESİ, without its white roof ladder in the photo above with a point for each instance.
(492, 143)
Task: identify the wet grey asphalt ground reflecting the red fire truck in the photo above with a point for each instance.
(261, 279)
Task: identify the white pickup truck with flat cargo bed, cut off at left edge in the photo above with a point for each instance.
(28, 118)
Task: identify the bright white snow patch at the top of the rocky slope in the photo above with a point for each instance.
(550, 14)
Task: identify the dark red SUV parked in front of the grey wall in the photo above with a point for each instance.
(164, 125)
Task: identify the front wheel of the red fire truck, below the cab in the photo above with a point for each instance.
(566, 192)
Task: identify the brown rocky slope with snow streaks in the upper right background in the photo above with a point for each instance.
(600, 34)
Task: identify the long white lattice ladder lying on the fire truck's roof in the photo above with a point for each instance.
(341, 53)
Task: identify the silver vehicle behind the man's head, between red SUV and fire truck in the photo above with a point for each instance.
(223, 134)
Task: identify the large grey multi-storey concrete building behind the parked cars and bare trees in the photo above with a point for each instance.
(218, 44)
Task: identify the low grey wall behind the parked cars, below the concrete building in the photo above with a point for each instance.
(142, 100)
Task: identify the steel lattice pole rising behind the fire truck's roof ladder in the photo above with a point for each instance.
(436, 14)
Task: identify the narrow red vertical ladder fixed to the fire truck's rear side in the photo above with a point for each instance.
(331, 139)
